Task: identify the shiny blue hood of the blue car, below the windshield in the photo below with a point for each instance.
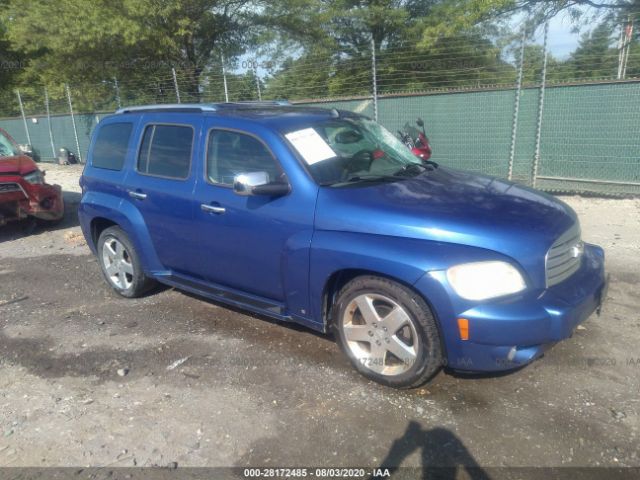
(452, 206)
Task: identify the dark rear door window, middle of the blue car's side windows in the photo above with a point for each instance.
(166, 151)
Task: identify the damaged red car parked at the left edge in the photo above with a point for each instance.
(23, 191)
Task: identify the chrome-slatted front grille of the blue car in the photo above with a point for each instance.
(564, 256)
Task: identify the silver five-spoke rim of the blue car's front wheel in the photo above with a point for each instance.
(380, 334)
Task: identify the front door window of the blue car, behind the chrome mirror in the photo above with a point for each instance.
(232, 153)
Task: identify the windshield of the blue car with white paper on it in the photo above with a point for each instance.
(354, 150)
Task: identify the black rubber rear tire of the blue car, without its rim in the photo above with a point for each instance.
(137, 283)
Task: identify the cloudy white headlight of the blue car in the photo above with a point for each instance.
(484, 280)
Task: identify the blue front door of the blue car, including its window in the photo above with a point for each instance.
(256, 244)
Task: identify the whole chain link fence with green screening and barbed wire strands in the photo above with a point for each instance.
(529, 120)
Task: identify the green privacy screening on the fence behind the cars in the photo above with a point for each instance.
(589, 134)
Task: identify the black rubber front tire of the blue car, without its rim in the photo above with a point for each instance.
(427, 346)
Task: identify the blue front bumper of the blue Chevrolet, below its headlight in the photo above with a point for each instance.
(509, 333)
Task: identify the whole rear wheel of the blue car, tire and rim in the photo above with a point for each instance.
(120, 264)
